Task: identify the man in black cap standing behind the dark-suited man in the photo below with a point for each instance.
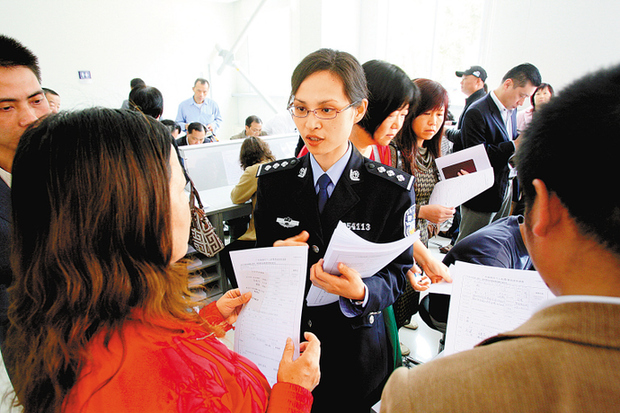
(472, 84)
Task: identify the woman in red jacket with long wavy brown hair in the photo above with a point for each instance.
(100, 317)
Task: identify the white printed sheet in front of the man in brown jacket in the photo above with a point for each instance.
(487, 301)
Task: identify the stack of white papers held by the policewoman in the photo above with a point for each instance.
(366, 257)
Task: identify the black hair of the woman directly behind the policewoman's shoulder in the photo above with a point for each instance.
(390, 88)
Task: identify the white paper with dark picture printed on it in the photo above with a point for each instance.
(453, 189)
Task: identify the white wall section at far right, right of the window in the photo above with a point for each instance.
(564, 39)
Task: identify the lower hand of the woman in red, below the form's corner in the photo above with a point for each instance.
(304, 371)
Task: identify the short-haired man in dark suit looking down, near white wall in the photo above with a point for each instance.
(492, 121)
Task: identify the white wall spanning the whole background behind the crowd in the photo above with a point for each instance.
(171, 42)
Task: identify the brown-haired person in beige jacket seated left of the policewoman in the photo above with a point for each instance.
(254, 152)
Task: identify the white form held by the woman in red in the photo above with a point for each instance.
(276, 276)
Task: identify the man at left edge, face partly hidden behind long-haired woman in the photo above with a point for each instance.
(22, 101)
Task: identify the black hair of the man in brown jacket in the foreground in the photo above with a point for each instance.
(556, 149)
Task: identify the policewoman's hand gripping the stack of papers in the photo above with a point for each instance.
(348, 284)
